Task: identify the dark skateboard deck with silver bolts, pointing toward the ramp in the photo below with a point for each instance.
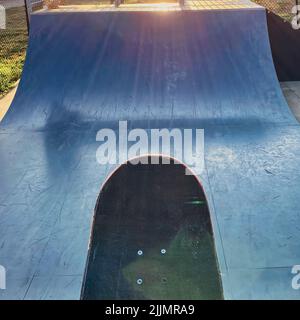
(152, 237)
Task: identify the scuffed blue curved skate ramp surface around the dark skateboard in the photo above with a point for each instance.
(206, 69)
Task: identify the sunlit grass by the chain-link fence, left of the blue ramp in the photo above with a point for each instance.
(13, 42)
